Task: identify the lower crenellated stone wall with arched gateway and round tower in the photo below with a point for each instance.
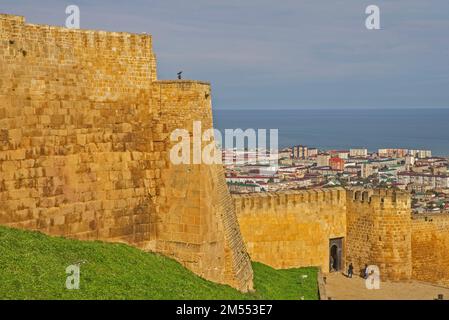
(294, 229)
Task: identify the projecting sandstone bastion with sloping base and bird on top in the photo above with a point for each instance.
(199, 222)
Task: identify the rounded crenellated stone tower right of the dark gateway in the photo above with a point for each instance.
(379, 232)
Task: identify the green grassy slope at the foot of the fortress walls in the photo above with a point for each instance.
(32, 266)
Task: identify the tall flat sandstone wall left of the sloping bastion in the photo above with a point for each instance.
(72, 147)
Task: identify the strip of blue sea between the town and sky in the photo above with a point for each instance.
(346, 128)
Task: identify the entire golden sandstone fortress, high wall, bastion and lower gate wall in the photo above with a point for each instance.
(84, 153)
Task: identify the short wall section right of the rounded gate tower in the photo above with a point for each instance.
(430, 248)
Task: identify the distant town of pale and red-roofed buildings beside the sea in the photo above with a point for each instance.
(425, 176)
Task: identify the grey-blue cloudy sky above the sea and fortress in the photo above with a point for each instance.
(284, 54)
